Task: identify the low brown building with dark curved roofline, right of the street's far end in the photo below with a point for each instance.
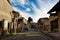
(44, 24)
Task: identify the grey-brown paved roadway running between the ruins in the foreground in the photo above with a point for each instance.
(28, 36)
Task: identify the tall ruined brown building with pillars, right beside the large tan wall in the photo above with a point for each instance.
(13, 24)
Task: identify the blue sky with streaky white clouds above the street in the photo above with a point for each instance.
(33, 8)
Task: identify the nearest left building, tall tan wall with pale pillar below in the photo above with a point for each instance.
(5, 15)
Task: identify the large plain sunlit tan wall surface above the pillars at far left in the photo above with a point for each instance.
(5, 10)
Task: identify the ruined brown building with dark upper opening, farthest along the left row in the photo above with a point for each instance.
(22, 22)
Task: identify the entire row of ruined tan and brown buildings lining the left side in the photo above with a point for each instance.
(10, 21)
